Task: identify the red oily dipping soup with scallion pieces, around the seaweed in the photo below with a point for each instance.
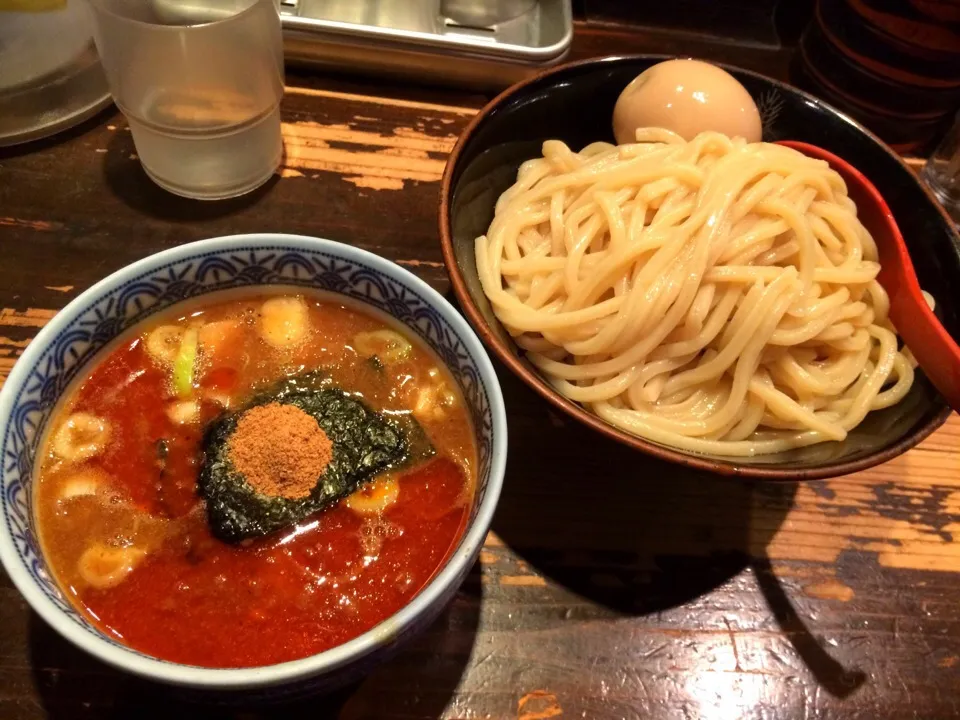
(125, 531)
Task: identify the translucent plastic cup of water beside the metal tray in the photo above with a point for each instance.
(200, 83)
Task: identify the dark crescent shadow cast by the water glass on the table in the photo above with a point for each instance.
(127, 180)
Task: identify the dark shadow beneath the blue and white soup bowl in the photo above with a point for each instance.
(418, 683)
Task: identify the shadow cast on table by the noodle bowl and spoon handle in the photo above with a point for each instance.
(638, 535)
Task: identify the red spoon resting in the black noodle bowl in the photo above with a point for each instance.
(930, 343)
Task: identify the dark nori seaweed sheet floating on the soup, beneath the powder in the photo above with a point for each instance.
(365, 443)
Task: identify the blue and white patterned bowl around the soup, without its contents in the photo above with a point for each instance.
(69, 344)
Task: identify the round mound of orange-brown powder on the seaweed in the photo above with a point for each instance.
(280, 450)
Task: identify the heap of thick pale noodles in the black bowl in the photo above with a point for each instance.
(713, 295)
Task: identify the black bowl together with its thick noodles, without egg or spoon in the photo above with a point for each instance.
(707, 300)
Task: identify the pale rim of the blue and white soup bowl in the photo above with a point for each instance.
(382, 634)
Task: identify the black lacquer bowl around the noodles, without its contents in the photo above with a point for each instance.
(574, 103)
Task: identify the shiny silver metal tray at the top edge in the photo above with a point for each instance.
(414, 39)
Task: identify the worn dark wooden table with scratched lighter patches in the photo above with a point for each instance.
(670, 595)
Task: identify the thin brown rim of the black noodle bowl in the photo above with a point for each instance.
(516, 364)
